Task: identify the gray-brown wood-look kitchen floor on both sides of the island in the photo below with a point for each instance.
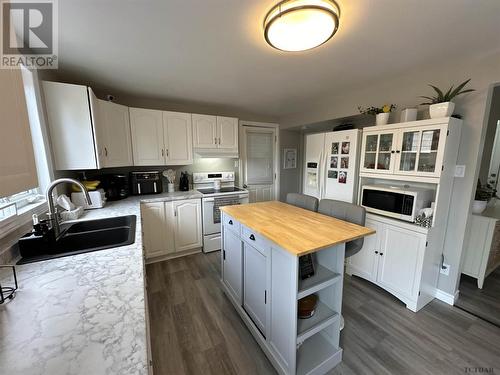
(195, 329)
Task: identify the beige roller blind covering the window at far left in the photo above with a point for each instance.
(17, 162)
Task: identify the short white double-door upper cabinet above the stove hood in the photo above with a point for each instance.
(215, 136)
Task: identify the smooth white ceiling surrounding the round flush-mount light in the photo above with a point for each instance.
(213, 51)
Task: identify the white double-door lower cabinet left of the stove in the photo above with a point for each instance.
(171, 227)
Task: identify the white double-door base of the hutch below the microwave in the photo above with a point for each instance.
(392, 258)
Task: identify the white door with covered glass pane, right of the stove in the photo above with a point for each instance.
(258, 162)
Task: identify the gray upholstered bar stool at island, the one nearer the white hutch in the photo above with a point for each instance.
(348, 212)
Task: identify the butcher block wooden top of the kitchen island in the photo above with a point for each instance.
(294, 229)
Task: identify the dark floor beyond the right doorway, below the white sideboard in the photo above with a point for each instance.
(484, 303)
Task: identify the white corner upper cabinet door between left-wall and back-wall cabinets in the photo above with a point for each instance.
(115, 133)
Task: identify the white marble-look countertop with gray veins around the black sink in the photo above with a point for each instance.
(81, 314)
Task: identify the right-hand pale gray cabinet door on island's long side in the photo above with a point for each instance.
(255, 285)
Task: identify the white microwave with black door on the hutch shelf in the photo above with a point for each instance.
(399, 202)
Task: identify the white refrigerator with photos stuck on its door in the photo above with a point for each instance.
(331, 168)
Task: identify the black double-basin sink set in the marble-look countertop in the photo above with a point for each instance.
(83, 237)
